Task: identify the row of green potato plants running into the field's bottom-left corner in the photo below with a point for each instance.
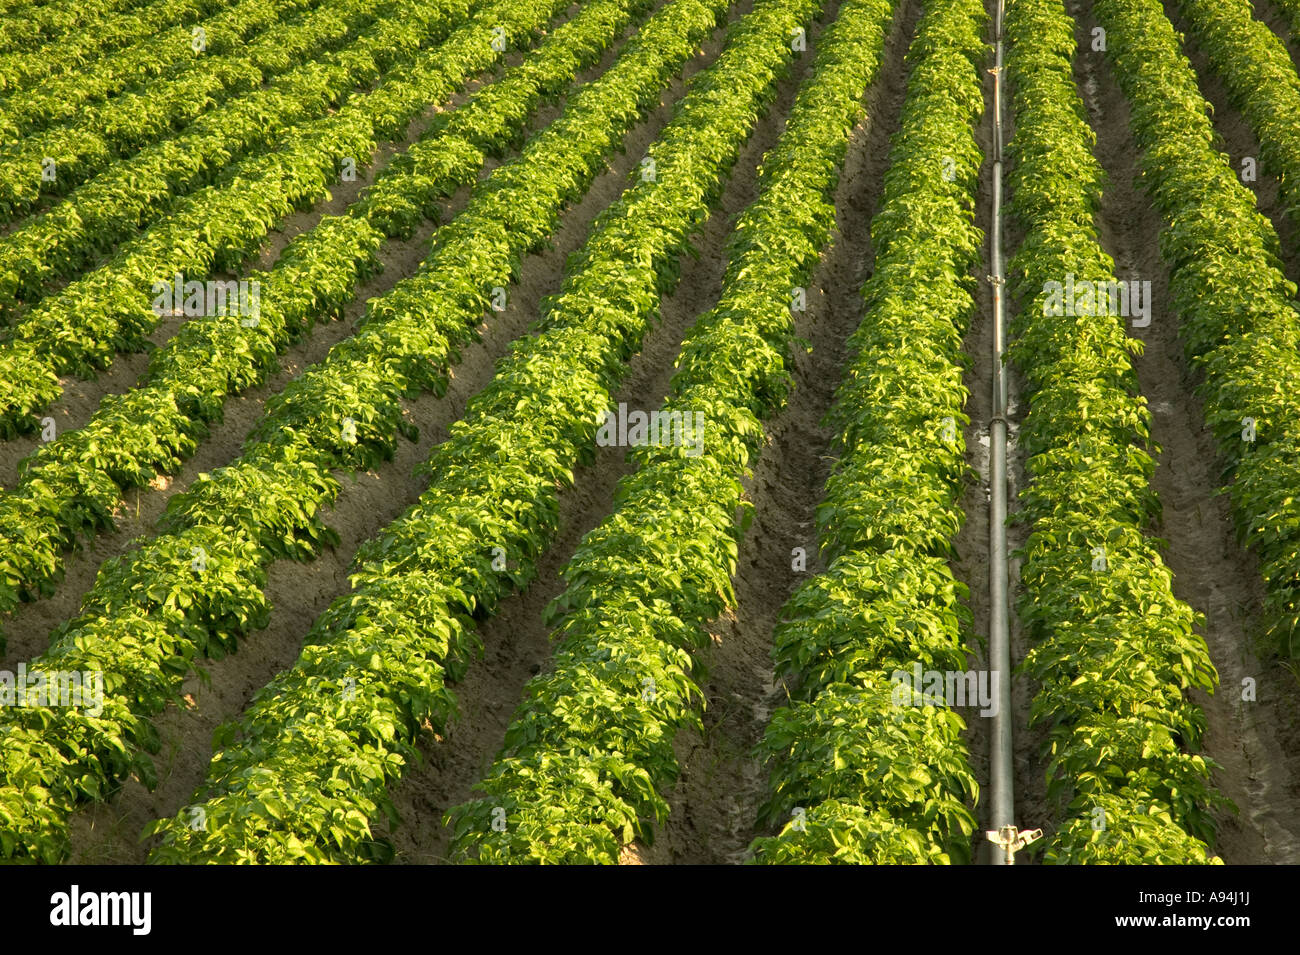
(267, 505)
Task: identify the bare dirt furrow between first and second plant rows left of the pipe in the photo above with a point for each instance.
(714, 806)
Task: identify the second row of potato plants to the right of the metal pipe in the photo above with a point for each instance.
(1240, 323)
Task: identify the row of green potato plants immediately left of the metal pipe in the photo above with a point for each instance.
(863, 772)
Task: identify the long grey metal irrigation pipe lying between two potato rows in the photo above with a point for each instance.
(1002, 782)
